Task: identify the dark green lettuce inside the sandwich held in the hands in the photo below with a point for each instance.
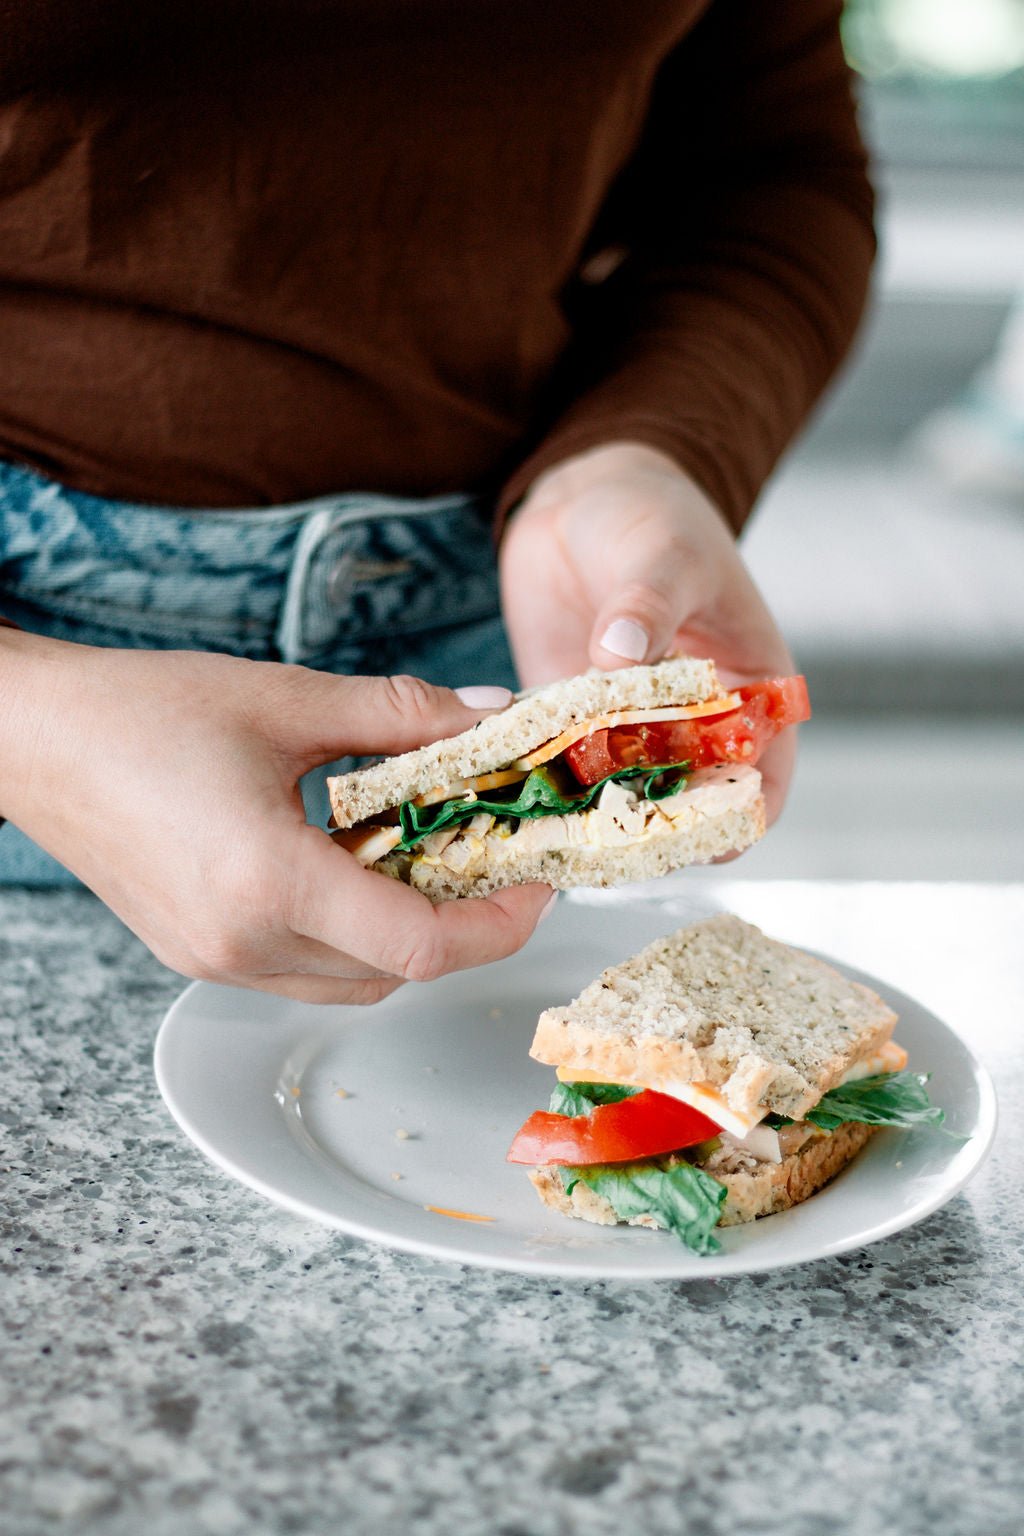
(544, 792)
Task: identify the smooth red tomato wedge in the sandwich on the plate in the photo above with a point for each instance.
(641, 1127)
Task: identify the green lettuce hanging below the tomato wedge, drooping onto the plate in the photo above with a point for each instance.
(684, 1199)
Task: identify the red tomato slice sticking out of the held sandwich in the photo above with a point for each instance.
(739, 737)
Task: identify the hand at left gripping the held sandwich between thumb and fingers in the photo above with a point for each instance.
(170, 784)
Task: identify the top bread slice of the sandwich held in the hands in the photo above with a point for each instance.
(533, 718)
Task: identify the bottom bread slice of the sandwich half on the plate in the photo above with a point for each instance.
(770, 1190)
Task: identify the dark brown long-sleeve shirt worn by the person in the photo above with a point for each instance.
(256, 251)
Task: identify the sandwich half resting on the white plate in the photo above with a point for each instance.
(716, 1078)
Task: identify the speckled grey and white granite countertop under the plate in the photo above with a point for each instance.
(182, 1357)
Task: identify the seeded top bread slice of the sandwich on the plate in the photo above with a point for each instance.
(765, 1025)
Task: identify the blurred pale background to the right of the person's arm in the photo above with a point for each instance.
(891, 541)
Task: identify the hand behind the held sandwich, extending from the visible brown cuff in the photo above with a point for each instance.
(618, 557)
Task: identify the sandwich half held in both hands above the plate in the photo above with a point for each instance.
(606, 778)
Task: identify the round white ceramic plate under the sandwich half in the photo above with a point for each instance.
(320, 1110)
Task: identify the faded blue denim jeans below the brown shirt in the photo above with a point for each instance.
(345, 584)
